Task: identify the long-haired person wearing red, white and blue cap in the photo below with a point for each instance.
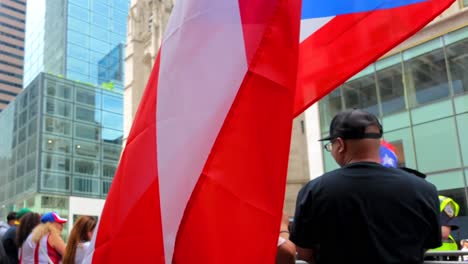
(44, 244)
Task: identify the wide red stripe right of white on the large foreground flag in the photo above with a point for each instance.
(234, 212)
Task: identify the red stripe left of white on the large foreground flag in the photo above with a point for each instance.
(130, 225)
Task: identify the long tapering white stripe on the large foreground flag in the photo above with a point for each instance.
(203, 63)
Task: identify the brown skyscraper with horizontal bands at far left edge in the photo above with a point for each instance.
(12, 23)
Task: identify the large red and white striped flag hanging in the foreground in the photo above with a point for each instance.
(202, 177)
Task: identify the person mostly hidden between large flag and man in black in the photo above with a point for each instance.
(286, 253)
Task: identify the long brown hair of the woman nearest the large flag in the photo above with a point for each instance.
(79, 233)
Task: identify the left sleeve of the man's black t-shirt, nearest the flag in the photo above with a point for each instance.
(304, 227)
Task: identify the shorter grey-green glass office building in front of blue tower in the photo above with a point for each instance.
(58, 137)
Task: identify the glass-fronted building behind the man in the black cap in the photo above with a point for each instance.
(421, 97)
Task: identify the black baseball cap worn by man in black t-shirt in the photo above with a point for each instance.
(352, 124)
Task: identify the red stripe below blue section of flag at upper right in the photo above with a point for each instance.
(349, 43)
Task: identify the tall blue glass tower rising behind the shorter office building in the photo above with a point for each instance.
(72, 38)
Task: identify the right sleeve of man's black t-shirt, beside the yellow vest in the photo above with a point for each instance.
(434, 238)
